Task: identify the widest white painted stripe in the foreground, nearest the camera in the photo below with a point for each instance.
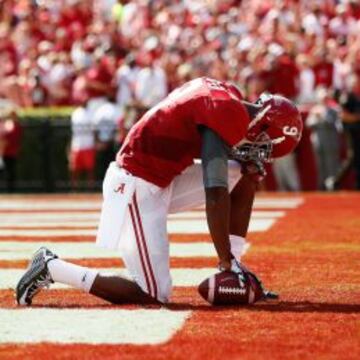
(102, 326)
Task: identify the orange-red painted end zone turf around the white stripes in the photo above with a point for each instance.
(311, 256)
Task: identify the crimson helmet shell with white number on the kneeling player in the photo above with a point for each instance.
(278, 122)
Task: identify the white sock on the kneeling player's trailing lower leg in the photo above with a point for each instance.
(70, 274)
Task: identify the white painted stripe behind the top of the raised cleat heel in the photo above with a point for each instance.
(14, 250)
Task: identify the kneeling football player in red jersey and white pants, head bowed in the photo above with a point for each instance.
(155, 174)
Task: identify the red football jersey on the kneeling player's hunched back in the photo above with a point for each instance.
(166, 139)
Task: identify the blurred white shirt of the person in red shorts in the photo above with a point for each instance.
(83, 137)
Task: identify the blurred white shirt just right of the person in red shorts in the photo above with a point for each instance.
(106, 120)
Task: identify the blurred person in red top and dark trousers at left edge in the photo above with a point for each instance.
(10, 143)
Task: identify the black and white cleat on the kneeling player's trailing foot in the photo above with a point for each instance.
(36, 277)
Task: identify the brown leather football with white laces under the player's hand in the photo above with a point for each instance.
(225, 288)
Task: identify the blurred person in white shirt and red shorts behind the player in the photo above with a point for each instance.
(82, 148)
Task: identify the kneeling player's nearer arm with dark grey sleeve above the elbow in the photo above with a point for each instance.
(215, 175)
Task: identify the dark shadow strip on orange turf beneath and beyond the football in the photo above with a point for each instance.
(281, 306)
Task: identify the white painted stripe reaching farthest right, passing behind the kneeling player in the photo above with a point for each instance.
(15, 204)
